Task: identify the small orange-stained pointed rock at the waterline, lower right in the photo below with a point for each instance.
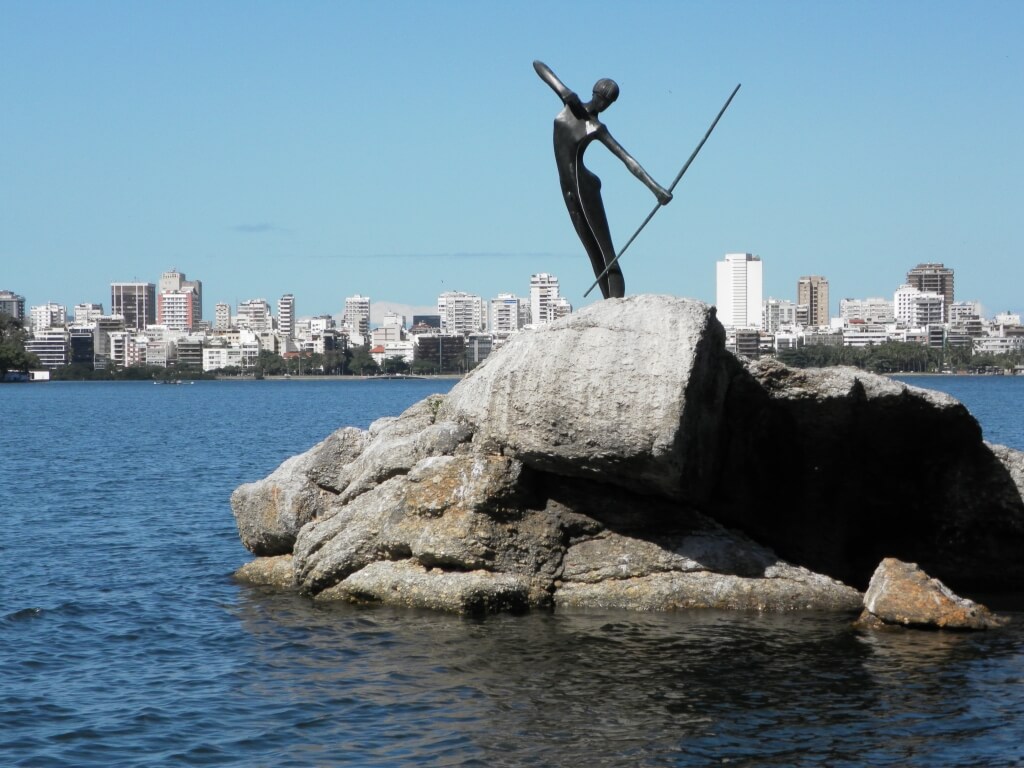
(903, 594)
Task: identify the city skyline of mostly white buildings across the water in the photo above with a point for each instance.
(924, 311)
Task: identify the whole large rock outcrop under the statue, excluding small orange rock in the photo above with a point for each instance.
(622, 458)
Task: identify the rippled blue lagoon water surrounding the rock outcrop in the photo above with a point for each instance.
(125, 643)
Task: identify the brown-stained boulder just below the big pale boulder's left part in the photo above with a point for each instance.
(457, 514)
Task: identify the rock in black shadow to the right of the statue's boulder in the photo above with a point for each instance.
(837, 468)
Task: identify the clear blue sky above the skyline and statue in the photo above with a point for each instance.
(400, 149)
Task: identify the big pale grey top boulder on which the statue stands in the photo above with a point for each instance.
(627, 392)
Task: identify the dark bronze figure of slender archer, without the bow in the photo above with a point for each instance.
(576, 127)
